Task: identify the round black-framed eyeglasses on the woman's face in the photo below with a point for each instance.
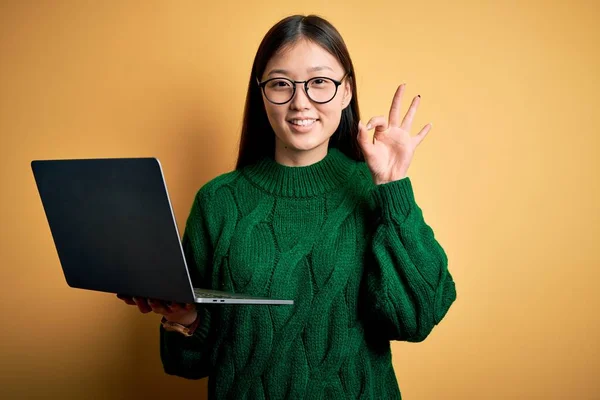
(319, 89)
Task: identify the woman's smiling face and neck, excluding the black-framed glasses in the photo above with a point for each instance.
(302, 127)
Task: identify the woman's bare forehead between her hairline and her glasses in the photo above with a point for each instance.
(301, 57)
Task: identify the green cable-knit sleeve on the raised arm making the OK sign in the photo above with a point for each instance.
(407, 280)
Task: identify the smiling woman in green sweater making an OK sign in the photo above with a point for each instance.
(317, 211)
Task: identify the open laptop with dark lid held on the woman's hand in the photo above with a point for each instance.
(114, 230)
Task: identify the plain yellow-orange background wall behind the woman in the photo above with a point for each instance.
(508, 177)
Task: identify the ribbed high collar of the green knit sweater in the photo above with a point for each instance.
(299, 182)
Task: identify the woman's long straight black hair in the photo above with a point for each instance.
(258, 139)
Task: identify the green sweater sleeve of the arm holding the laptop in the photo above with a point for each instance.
(189, 357)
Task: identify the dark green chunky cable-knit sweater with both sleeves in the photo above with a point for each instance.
(360, 263)
